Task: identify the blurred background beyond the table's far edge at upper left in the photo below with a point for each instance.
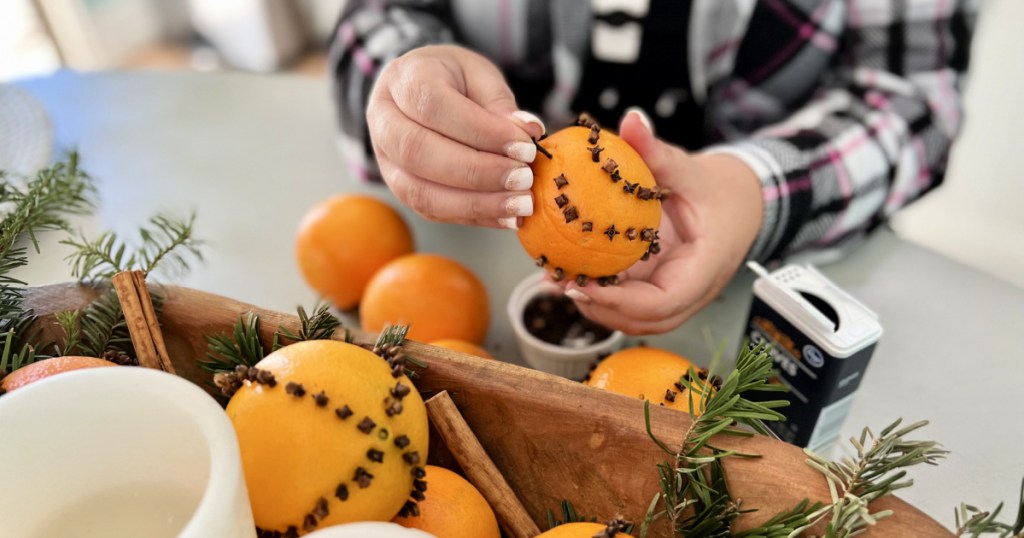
(40, 36)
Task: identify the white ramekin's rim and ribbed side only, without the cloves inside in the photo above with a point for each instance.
(573, 363)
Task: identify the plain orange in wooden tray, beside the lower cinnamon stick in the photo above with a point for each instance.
(454, 509)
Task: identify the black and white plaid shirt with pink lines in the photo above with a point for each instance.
(846, 110)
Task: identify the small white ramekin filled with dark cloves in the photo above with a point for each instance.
(552, 335)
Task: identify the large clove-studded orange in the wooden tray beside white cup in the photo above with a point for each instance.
(328, 436)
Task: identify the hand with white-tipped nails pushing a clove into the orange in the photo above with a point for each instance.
(450, 141)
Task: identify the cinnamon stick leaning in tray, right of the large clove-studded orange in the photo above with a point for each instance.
(479, 468)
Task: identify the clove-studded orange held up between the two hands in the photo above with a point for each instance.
(594, 217)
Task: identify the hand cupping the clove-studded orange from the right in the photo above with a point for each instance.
(709, 224)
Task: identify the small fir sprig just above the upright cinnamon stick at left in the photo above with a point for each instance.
(168, 244)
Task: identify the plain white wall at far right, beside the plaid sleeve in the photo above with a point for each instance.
(977, 217)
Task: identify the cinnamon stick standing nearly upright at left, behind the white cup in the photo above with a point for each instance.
(142, 320)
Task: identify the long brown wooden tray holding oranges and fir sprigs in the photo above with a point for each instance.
(551, 438)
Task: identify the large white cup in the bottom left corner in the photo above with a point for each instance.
(123, 451)
